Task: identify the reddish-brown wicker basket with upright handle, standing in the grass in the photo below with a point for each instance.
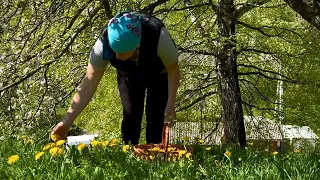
(148, 151)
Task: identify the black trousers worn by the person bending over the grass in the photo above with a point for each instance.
(133, 88)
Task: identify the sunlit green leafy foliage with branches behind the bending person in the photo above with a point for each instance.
(45, 47)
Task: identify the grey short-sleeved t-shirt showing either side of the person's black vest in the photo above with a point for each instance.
(167, 51)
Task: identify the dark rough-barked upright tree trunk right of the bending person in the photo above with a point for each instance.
(228, 84)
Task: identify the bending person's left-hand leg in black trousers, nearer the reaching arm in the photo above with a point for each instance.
(132, 93)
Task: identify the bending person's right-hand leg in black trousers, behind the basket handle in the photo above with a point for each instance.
(157, 97)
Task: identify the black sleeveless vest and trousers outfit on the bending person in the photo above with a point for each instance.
(137, 77)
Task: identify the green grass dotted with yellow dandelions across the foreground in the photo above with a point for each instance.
(112, 163)
